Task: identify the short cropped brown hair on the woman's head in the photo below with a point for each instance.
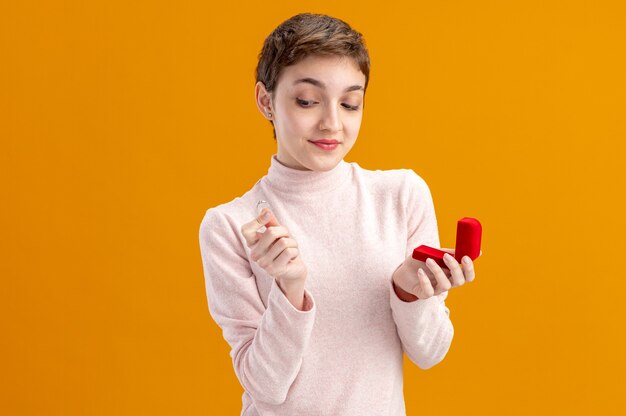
(309, 34)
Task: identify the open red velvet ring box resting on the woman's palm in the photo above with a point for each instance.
(468, 236)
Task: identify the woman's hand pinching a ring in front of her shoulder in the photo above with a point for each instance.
(274, 250)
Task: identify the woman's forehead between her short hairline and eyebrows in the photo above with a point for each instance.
(336, 72)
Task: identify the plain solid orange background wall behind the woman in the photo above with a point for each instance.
(122, 122)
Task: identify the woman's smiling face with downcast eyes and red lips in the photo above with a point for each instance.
(320, 97)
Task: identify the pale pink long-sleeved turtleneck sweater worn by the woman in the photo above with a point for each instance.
(342, 354)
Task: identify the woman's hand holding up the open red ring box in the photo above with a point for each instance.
(420, 279)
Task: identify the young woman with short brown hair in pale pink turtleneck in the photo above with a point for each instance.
(318, 295)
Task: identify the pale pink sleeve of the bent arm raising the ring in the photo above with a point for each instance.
(267, 343)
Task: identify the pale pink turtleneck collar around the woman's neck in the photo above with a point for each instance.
(306, 182)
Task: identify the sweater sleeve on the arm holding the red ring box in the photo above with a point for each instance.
(424, 326)
